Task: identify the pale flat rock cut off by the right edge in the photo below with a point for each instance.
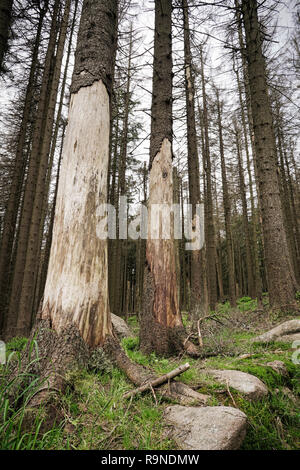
(287, 332)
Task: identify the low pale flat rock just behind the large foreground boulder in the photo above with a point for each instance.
(245, 383)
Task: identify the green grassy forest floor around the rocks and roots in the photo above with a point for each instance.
(97, 416)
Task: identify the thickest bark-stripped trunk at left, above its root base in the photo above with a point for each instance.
(77, 283)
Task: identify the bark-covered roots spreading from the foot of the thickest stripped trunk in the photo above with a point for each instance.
(50, 356)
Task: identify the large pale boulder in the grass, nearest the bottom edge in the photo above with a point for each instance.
(206, 428)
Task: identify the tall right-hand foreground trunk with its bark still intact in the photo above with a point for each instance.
(281, 280)
